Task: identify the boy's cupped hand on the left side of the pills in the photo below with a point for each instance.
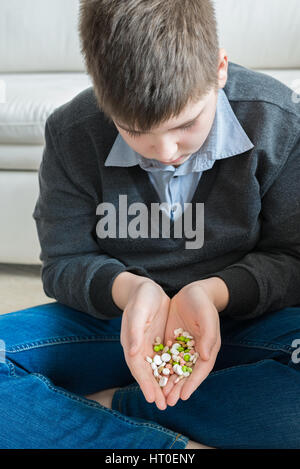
(144, 318)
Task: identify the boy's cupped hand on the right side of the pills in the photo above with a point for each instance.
(193, 309)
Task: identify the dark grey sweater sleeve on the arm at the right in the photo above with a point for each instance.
(268, 278)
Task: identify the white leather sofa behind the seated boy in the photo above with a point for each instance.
(41, 68)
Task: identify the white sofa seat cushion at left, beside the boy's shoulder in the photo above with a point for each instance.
(30, 99)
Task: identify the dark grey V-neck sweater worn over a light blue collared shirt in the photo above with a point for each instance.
(252, 208)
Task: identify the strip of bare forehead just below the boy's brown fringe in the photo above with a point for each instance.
(190, 113)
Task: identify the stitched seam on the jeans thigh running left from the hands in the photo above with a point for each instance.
(60, 341)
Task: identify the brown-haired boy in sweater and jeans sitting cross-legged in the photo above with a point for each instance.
(168, 120)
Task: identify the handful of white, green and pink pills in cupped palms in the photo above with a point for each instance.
(178, 357)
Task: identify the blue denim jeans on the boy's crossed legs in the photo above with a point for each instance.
(54, 358)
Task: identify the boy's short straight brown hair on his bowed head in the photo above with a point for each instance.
(149, 58)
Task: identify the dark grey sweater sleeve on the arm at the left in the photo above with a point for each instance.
(74, 270)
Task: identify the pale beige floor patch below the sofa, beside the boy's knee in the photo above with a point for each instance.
(20, 287)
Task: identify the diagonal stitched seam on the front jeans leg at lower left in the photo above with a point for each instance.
(88, 403)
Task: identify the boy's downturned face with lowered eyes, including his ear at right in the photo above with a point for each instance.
(173, 142)
